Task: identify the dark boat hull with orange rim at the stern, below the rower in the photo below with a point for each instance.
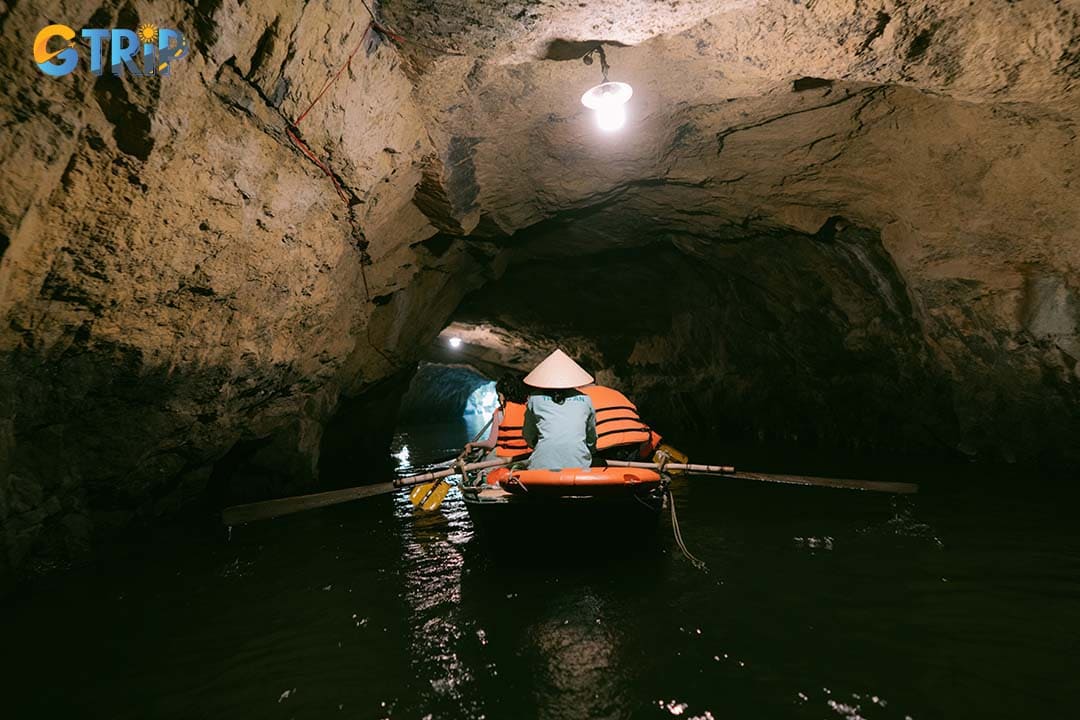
(578, 506)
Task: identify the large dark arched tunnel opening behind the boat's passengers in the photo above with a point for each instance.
(762, 338)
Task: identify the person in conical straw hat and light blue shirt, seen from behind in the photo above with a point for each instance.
(560, 422)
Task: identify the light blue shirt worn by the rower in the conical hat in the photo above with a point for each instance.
(562, 436)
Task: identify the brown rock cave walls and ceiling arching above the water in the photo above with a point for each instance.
(820, 237)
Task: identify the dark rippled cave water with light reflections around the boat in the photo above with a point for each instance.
(961, 603)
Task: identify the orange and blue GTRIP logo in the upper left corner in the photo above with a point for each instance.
(148, 51)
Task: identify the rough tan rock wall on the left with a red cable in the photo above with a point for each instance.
(179, 282)
